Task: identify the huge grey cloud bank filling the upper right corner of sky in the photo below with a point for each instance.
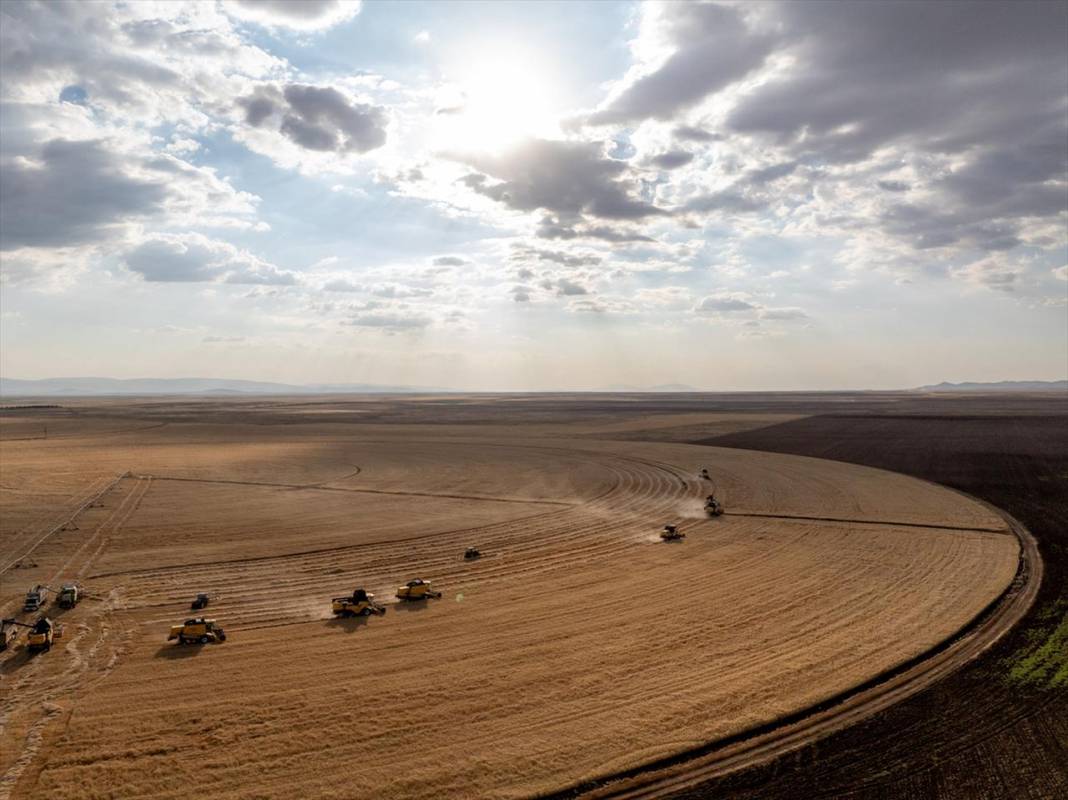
(946, 135)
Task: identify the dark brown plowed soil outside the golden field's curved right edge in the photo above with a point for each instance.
(999, 729)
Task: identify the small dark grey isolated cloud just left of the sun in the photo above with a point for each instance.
(318, 118)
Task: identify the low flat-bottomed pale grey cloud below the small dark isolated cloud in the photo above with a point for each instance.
(193, 258)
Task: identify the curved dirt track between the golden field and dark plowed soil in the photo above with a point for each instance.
(773, 740)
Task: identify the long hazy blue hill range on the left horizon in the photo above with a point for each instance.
(96, 387)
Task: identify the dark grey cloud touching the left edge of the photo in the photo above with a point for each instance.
(75, 195)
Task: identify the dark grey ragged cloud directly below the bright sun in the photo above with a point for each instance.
(571, 180)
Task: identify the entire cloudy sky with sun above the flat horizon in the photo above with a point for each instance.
(543, 196)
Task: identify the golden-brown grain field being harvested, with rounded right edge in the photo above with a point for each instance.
(578, 647)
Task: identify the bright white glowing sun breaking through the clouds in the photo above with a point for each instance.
(497, 100)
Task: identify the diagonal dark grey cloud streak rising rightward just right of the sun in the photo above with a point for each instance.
(714, 48)
